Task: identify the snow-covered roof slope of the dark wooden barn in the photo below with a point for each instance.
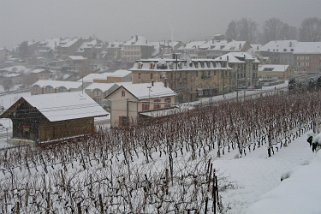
(66, 106)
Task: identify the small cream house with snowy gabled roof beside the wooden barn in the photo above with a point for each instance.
(129, 102)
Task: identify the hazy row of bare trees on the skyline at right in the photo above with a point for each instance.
(247, 29)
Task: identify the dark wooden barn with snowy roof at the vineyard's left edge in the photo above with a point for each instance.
(50, 117)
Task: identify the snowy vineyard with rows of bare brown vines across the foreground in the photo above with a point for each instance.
(167, 166)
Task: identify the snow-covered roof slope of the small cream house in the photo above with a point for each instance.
(146, 90)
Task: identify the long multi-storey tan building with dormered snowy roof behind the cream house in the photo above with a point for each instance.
(189, 78)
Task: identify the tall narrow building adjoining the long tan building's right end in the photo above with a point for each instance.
(244, 69)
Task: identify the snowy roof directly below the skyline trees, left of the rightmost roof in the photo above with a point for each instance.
(280, 46)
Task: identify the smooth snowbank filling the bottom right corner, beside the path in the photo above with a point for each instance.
(301, 193)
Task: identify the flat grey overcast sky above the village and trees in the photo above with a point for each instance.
(112, 20)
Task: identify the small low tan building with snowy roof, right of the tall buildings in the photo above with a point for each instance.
(269, 71)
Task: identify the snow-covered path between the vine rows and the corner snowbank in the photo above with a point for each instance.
(256, 174)
